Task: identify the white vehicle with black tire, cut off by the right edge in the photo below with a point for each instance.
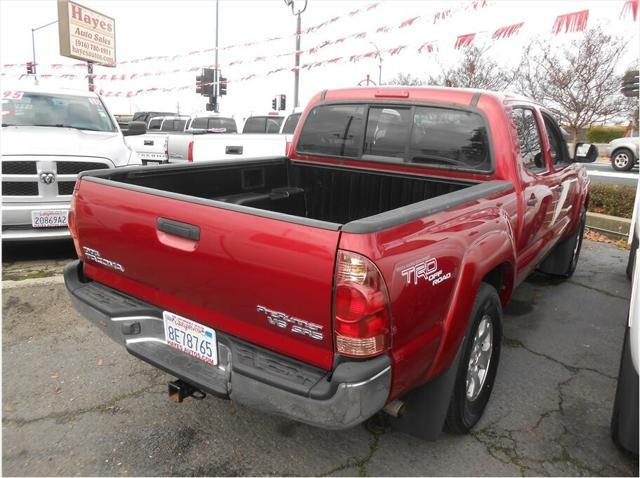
(624, 418)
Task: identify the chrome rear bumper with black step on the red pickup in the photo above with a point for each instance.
(250, 375)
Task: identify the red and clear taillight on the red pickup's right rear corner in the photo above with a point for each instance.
(362, 322)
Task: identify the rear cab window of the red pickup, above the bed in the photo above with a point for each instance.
(431, 136)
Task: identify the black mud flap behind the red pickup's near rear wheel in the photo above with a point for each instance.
(426, 406)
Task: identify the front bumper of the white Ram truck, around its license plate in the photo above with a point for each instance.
(16, 222)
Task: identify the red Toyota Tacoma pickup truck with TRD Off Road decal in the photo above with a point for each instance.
(367, 270)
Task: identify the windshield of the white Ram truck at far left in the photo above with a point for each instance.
(62, 111)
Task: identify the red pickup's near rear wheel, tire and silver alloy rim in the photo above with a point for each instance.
(479, 362)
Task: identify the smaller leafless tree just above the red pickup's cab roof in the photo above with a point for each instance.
(475, 70)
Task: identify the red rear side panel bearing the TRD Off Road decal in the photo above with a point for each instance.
(429, 318)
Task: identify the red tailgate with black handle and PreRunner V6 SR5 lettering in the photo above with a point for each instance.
(236, 277)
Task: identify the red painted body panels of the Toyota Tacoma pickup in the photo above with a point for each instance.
(243, 260)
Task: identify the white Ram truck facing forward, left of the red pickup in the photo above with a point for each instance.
(49, 136)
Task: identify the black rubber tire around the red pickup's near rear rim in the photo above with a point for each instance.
(464, 412)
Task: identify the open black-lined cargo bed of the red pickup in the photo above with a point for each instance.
(333, 195)
